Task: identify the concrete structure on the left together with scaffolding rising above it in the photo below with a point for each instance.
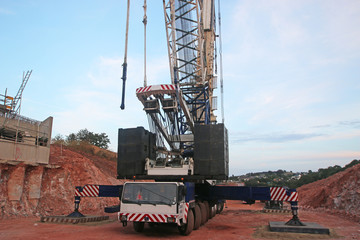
(22, 139)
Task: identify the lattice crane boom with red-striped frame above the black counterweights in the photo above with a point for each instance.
(174, 109)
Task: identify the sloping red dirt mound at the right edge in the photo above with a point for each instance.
(339, 193)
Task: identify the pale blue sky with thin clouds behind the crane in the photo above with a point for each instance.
(291, 73)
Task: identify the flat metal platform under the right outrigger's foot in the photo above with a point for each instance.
(308, 228)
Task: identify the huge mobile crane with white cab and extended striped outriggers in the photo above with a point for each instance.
(186, 150)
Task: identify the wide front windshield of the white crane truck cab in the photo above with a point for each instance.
(146, 193)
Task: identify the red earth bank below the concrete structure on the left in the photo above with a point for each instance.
(37, 190)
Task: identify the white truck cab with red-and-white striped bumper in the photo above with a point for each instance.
(153, 202)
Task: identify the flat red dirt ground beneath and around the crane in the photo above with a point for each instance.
(238, 221)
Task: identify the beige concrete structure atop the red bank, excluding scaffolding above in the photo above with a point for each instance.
(24, 140)
